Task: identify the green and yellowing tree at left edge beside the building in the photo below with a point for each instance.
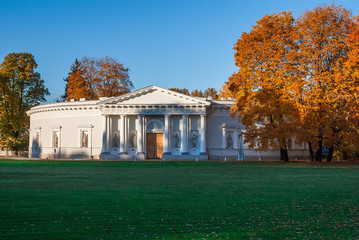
(21, 88)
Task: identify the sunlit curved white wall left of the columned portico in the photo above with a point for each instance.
(68, 124)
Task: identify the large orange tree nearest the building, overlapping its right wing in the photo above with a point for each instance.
(261, 84)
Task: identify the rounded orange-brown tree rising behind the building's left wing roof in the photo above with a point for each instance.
(98, 77)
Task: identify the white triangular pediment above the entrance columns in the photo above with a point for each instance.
(154, 95)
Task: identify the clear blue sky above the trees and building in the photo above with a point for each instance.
(168, 43)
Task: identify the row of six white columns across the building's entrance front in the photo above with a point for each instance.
(140, 128)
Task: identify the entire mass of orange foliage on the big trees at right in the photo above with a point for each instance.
(298, 79)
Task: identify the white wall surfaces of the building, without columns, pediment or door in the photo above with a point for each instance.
(70, 122)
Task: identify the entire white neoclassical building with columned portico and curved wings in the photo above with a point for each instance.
(149, 123)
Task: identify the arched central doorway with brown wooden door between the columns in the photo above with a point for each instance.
(154, 138)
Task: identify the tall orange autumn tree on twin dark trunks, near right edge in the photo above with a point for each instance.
(323, 93)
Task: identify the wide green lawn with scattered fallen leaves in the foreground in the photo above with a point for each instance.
(178, 200)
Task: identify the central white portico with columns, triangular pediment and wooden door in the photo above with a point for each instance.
(170, 126)
